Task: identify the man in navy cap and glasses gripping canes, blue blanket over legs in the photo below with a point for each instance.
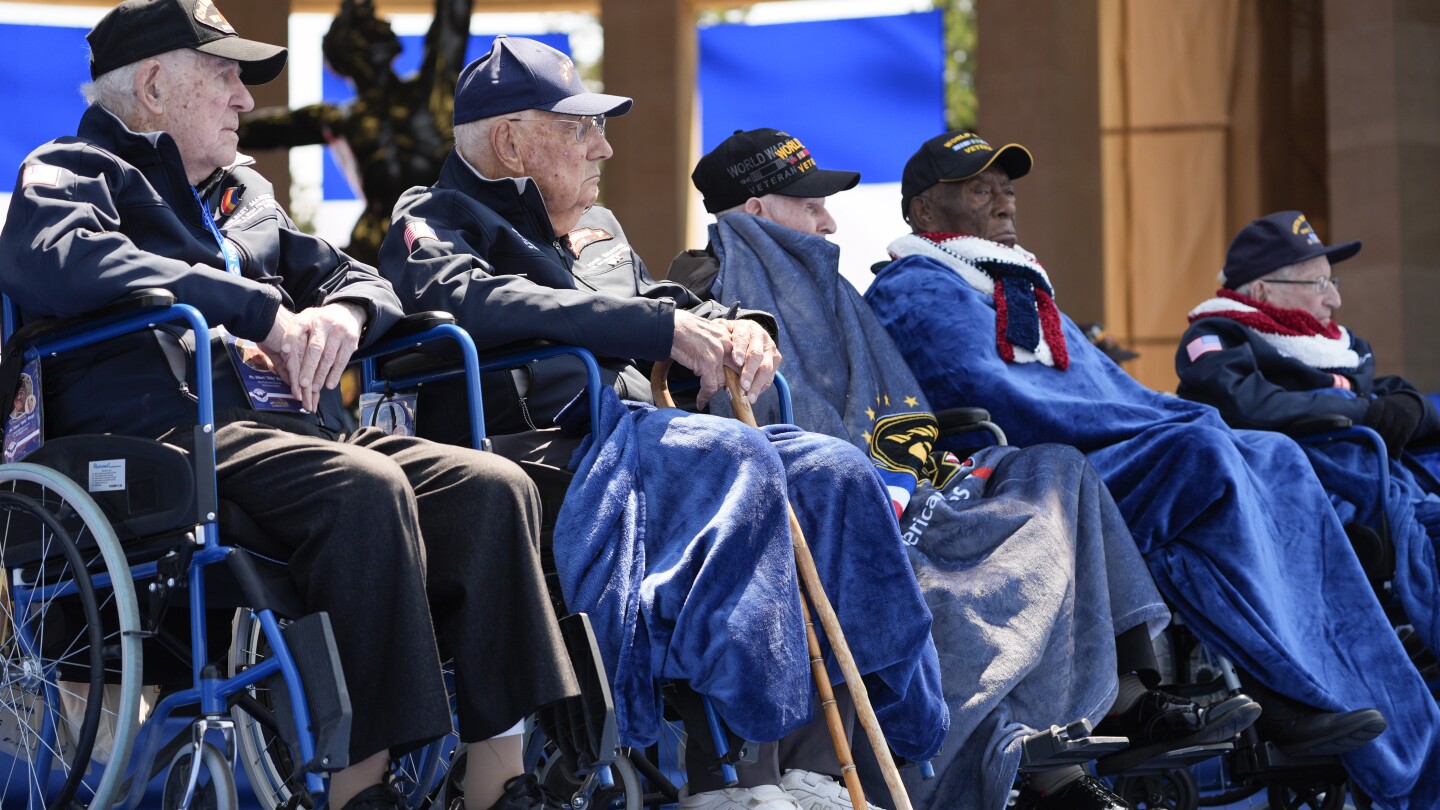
(673, 535)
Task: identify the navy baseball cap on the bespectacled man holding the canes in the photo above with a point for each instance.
(523, 74)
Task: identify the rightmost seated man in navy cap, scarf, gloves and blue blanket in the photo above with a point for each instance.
(1268, 354)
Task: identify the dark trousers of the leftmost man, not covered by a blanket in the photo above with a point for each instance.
(415, 550)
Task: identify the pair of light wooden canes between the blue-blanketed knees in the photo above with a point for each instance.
(810, 583)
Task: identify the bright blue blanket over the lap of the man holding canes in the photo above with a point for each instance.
(675, 538)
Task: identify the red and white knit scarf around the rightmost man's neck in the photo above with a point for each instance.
(1294, 334)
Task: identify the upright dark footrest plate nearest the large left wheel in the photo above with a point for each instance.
(313, 646)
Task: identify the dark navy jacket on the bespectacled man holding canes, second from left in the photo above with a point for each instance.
(486, 252)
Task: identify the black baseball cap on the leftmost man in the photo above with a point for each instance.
(139, 30)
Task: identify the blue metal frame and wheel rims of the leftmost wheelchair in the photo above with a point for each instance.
(211, 691)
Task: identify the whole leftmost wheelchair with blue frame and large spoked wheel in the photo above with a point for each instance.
(100, 579)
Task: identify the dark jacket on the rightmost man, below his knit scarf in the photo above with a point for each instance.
(1256, 387)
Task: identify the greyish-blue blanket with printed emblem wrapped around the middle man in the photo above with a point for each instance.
(1023, 556)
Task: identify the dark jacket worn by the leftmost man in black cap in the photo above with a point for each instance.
(112, 211)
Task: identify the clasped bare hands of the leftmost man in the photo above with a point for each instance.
(312, 350)
